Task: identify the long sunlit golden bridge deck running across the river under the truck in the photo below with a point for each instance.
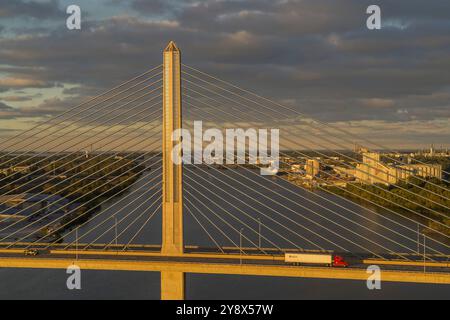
(213, 263)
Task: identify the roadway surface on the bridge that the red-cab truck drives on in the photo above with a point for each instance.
(440, 264)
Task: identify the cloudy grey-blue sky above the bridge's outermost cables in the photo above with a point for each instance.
(316, 56)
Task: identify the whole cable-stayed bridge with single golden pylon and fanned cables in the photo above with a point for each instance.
(96, 186)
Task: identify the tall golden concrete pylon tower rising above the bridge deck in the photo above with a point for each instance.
(172, 224)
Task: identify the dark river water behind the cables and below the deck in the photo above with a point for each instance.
(226, 202)
